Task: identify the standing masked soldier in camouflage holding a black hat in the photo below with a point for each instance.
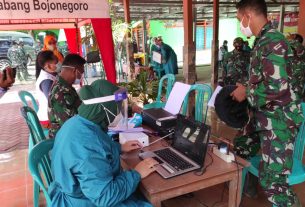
(274, 104)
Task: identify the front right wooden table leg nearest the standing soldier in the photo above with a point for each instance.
(235, 190)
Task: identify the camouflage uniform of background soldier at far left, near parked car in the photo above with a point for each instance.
(16, 57)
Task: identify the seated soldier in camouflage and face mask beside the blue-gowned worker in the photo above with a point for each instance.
(63, 100)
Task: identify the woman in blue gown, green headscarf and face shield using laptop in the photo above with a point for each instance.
(86, 162)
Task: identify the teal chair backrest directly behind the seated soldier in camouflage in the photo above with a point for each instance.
(33, 123)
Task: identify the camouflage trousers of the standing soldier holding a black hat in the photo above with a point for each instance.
(276, 165)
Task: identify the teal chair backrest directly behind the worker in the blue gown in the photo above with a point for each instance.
(39, 161)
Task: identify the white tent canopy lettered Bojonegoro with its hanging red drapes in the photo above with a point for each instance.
(36, 14)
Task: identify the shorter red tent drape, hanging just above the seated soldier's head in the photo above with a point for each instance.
(74, 45)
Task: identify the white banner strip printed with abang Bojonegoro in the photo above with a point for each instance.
(41, 9)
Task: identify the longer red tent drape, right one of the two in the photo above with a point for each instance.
(103, 32)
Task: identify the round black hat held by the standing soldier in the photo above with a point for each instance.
(232, 113)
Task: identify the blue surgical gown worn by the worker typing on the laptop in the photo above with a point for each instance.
(86, 169)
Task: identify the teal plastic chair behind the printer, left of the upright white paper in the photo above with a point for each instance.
(169, 86)
